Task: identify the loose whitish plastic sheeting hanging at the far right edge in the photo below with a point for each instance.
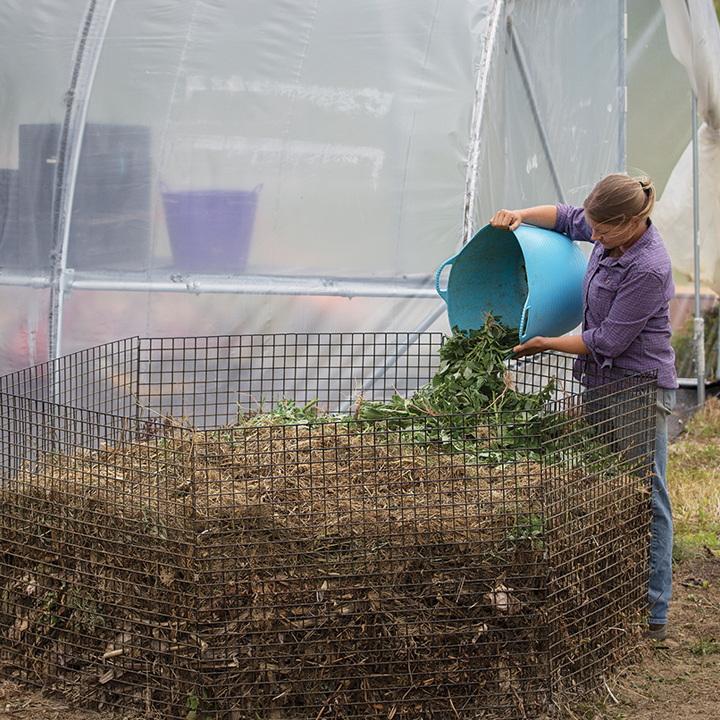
(694, 35)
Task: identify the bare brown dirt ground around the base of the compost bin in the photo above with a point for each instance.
(678, 679)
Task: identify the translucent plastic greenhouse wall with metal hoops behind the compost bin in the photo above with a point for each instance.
(195, 167)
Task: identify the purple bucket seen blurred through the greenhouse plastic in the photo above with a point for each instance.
(210, 230)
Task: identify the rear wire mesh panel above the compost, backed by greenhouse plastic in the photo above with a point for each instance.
(212, 380)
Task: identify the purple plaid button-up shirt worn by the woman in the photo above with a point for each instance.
(626, 312)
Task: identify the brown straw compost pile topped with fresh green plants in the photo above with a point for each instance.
(372, 565)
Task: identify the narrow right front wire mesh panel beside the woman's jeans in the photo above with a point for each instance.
(598, 454)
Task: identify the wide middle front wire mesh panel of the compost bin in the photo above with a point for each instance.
(358, 572)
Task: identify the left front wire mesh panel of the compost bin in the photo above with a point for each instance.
(87, 537)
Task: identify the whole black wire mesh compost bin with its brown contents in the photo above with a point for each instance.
(466, 566)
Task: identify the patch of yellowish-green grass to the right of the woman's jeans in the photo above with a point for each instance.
(694, 484)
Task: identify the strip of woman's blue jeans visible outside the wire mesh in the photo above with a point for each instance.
(661, 531)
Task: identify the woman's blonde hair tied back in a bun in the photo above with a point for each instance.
(618, 198)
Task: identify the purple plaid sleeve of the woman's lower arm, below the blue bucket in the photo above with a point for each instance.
(637, 300)
